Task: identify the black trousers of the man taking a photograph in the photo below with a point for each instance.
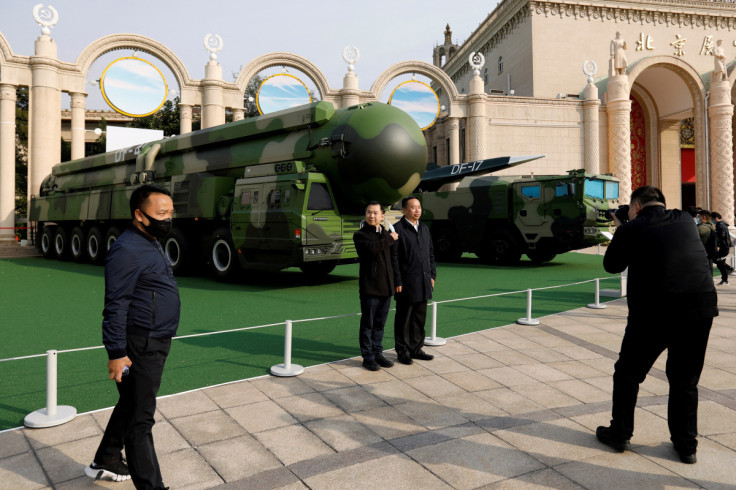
(685, 336)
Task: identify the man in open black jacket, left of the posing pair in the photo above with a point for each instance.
(378, 269)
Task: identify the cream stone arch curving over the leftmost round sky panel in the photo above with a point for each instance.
(144, 44)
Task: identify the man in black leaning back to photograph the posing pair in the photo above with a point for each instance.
(672, 302)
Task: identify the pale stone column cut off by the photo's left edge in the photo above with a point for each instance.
(7, 161)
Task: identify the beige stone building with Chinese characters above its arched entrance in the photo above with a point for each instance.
(652, 107)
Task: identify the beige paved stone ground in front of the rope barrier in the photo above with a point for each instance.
(509, 407)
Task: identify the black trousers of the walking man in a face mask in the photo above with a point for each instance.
(132, 419)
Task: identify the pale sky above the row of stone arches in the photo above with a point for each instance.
(385, 32)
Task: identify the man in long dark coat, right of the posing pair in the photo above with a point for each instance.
(417, 272)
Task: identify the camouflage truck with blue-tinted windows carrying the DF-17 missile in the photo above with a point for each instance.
(501, 218)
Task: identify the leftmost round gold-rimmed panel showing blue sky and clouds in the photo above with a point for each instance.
(118, 91)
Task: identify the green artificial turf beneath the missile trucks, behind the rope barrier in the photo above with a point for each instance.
(47, 304)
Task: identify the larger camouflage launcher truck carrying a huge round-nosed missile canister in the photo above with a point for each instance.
(270, 192)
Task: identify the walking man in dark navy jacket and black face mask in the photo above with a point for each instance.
(141, 316)
